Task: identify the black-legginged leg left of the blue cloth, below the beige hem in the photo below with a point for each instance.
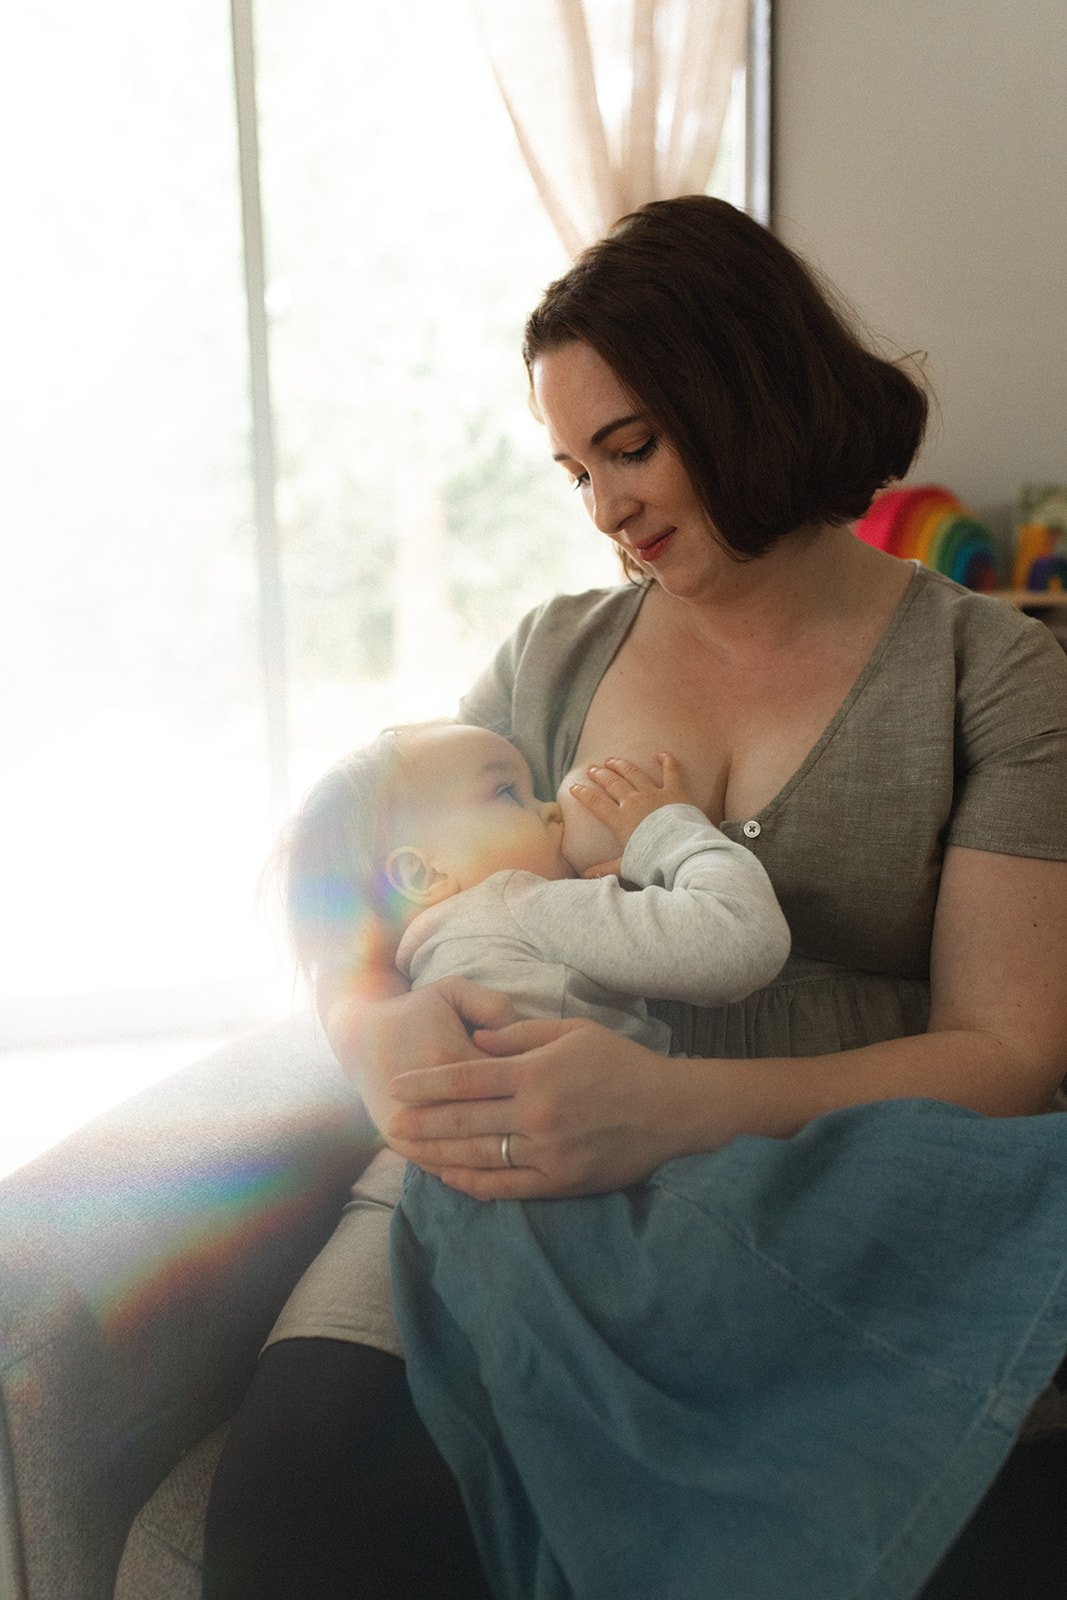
(330, 1487)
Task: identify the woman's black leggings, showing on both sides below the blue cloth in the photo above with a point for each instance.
(330, 1489)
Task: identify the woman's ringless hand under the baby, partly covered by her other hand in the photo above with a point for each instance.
(375, 1039)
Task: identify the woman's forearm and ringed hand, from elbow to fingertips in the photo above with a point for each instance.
(589, 1111)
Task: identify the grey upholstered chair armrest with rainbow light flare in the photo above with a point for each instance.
(142, 1265)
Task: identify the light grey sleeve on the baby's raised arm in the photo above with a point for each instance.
(703, 926)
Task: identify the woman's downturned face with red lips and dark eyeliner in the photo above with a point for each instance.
(633, 484)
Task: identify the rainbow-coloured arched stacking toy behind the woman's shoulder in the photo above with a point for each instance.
(932, 526)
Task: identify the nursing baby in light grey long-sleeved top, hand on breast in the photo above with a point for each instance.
(434, 839)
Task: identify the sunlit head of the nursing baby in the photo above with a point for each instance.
(409, 822)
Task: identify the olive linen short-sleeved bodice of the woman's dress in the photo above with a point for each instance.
(954, 734)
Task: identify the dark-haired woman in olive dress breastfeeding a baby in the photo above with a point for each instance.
(892, 748)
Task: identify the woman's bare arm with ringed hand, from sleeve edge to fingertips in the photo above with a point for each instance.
(591, 1113)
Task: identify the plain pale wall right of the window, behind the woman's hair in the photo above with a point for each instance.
(921, 161)
